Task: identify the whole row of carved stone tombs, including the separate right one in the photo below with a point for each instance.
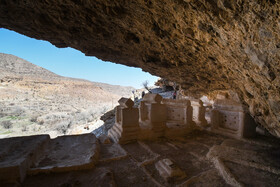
(171, 118)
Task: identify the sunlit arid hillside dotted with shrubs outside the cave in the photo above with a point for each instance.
(34, 100)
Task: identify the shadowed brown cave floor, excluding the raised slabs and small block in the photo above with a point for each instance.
(207, 160)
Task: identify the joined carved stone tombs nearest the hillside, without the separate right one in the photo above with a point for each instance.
(155, 118)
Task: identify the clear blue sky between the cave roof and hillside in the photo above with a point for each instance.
(70, 62)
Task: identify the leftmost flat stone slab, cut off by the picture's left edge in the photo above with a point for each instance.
(18, 154)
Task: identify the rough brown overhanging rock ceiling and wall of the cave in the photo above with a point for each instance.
(204, 45)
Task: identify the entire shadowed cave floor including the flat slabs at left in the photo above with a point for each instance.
(199, 159)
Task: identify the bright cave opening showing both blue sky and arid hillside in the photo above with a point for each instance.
(48, 90)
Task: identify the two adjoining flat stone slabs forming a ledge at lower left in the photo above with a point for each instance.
(33, 155)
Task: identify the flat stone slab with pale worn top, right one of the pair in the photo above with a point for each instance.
(68, 153)
